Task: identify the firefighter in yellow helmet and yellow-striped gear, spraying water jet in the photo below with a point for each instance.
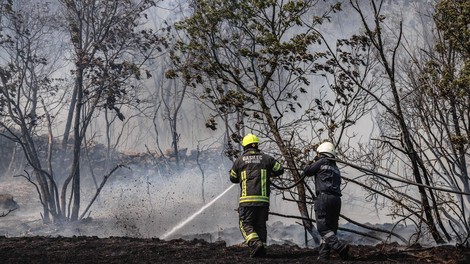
(253, 171)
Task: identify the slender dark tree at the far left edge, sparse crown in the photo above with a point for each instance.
(29, 94)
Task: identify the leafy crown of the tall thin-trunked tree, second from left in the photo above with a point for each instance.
(110, 48)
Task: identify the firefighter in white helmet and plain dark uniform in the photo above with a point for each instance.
(328, 202)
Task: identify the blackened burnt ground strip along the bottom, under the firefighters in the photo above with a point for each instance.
(85, 249)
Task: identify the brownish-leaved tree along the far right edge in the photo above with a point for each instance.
(438, 108)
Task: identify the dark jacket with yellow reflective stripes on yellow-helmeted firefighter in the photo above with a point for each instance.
(253, 171)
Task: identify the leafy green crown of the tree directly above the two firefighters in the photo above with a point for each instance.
(252, 59)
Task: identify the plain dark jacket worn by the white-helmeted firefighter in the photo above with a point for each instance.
(327, 176)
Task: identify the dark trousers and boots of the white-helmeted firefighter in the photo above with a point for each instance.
(327, 210)
